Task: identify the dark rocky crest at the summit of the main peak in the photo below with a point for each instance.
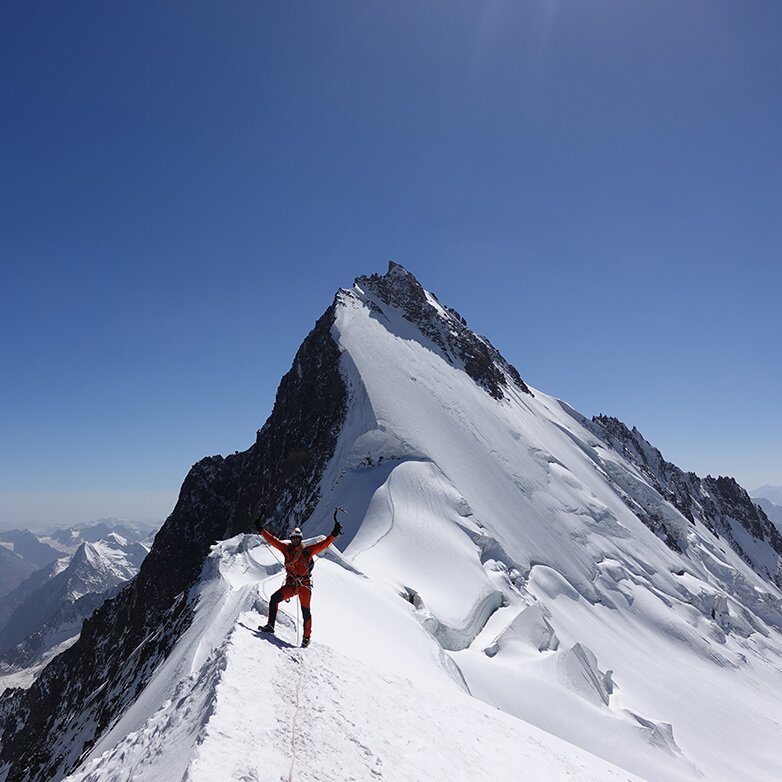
(445, 327)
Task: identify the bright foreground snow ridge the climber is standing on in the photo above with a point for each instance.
(237, 706)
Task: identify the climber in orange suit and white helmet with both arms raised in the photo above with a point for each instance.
(298, 568)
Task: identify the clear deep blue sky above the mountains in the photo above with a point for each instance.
(596, 186)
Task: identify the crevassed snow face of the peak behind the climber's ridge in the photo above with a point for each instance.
(483, 509)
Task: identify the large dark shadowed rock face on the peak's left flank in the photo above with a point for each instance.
(47, 728)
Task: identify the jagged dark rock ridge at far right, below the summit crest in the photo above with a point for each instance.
(720, 504)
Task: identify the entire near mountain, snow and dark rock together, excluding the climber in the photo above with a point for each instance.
(520, 591)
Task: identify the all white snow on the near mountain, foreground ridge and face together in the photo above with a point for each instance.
(495, 610)
